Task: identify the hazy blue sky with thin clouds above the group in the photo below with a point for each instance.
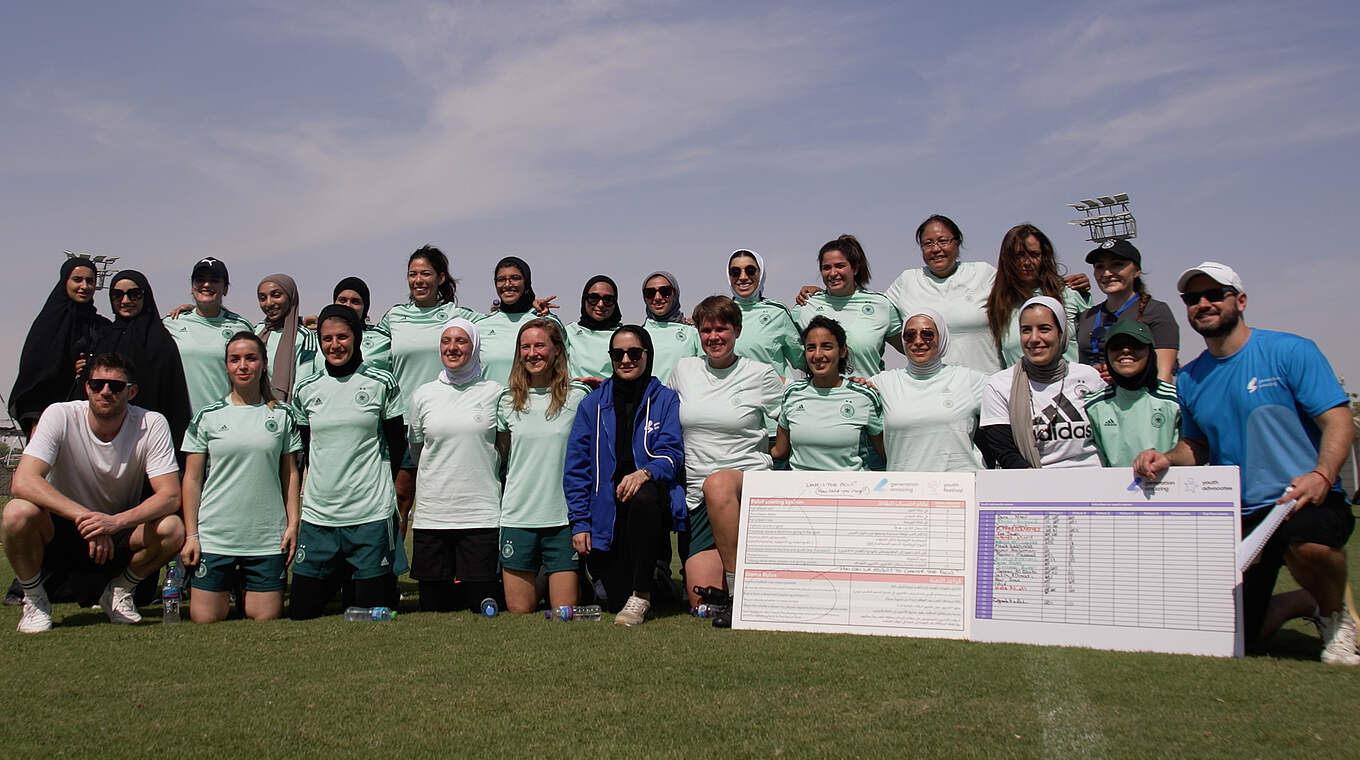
(333, 139)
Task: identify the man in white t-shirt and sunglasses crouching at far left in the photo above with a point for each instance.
(78, 497)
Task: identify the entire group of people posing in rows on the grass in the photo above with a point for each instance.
(294, 459)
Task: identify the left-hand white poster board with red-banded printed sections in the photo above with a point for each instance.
(868, 553)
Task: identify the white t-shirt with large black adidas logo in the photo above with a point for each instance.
(1061, 428)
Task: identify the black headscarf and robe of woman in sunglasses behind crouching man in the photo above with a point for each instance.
(161, 385)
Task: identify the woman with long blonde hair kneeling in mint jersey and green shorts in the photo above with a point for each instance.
(534, 421)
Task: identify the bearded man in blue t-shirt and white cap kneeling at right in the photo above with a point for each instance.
(1270, 404)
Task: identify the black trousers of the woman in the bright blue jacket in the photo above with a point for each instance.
(640, 525)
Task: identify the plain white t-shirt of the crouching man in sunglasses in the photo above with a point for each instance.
(105, 478)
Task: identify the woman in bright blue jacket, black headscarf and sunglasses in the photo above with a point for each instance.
(622, 477)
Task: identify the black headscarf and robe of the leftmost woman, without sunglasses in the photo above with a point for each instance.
(61, 334)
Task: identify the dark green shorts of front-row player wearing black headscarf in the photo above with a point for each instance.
(371, 549)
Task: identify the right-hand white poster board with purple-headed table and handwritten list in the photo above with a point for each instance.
(1093, 558)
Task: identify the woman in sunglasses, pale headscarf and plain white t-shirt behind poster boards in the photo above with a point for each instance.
(931, 407)
